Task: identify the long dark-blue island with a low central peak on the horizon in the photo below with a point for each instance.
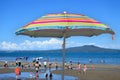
(85, 49)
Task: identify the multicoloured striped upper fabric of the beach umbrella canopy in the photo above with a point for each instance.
(58, 21)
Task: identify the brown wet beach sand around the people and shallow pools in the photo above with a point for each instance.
(100, 71)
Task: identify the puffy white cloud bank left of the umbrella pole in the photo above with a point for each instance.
(32, 45)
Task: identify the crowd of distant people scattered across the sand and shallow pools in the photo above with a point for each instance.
(38, 65)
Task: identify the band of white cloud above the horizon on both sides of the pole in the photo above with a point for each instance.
(50, 44)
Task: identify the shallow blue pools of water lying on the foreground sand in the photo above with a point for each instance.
(25, 75)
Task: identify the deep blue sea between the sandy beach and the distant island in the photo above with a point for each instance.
(96, 58)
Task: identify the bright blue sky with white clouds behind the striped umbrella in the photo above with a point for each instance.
(15, 14)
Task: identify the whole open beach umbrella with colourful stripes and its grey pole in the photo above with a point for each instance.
(64, 25)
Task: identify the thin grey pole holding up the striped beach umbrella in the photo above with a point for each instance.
(63, 55)
